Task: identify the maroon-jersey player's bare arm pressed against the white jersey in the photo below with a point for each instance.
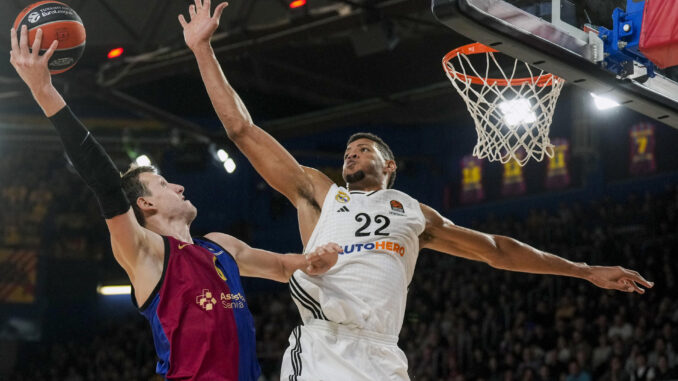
(279, 267)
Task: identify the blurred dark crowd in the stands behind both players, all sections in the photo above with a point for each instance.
(464, 320)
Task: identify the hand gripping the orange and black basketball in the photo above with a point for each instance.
(31, 66)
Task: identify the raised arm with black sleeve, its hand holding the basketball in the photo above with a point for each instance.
(130, 241)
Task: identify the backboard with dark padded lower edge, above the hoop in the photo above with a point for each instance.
(542, 34)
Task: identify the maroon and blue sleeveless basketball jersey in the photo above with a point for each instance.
(202, 327)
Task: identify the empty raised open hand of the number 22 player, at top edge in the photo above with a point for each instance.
(202, 25)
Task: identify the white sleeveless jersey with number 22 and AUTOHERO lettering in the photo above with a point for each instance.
(367, 288)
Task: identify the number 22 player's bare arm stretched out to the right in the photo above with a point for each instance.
(509, 254)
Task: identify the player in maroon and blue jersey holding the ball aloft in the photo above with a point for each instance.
(188, 288)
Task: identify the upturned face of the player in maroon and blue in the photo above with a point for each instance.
(166, 198)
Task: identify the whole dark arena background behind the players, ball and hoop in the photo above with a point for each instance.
(311, 76)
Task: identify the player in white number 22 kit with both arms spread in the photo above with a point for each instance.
(352, 315)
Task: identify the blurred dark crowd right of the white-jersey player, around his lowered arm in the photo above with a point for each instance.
(470, 322)
